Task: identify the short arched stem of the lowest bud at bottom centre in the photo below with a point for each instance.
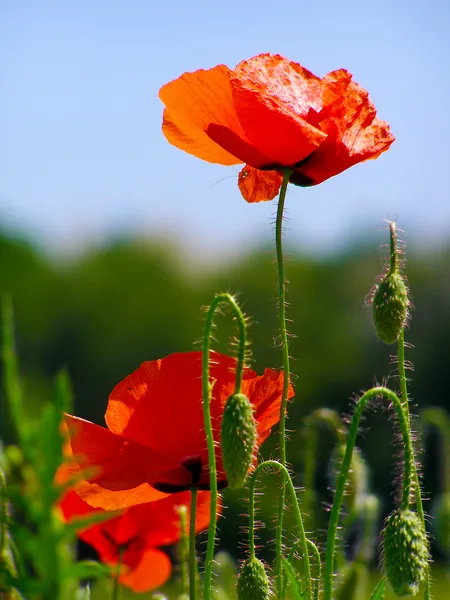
(303, 542)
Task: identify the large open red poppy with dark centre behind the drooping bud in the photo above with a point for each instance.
(155, 442)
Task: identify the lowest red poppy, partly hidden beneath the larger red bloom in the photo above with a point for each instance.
(137, 534)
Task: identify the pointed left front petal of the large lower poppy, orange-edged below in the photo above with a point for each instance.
(121, 466)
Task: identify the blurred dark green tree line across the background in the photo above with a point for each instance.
(103, 313)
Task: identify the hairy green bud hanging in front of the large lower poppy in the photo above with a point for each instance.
(238, 439)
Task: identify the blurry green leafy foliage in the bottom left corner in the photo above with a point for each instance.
(36, 555)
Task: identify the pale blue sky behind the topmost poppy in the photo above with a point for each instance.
(82, 156)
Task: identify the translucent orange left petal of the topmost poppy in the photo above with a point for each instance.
(193, 102)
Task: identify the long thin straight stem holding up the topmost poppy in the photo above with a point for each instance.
(286, 367)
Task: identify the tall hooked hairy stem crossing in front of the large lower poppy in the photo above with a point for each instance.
(207, 386)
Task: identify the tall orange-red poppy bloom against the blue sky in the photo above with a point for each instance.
(271, 113)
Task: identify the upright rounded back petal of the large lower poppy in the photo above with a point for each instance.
(161, 404)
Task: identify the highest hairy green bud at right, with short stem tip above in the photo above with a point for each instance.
(390, 302)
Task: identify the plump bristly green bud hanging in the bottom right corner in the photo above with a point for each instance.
(405, 548)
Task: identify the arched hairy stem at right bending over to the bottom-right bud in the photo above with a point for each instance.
(341, 481)
